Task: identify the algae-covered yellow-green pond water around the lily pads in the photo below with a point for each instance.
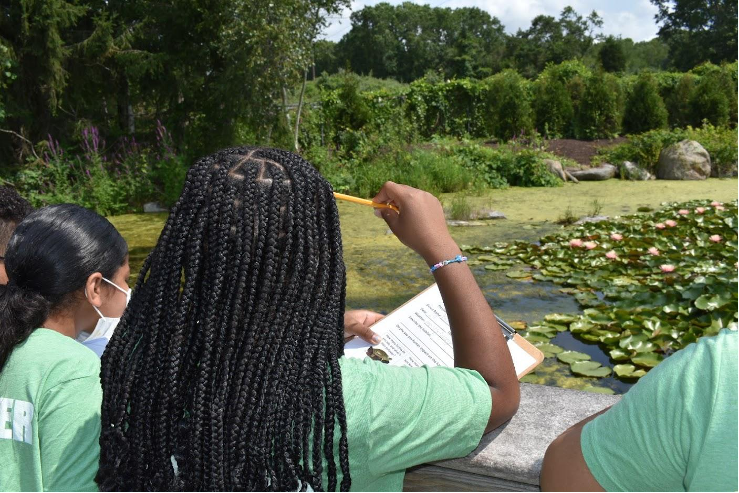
(382, 274)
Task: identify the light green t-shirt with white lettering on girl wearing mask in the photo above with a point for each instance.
(50, 399)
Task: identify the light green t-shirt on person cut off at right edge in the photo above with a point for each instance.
(674, 431)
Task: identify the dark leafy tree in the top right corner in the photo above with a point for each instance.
(698, 30)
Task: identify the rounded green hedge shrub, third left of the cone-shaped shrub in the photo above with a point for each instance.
(509, 100)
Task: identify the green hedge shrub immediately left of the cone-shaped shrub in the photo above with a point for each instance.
(599, 113)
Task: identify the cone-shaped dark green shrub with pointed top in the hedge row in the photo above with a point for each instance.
(644, 109)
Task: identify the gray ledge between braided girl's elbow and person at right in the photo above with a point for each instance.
(509, 459)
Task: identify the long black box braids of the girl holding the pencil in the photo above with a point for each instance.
(223, 374)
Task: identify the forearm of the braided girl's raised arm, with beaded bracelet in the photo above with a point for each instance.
(479, 343)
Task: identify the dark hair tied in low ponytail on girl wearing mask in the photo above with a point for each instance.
(49, 258)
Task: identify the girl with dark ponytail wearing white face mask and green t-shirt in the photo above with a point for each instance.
(67, 273)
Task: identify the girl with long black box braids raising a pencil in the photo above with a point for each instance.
(227, 370)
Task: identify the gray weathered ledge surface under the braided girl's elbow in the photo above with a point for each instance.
(514, 452)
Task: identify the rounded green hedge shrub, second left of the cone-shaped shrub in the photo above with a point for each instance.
(553, 108)
